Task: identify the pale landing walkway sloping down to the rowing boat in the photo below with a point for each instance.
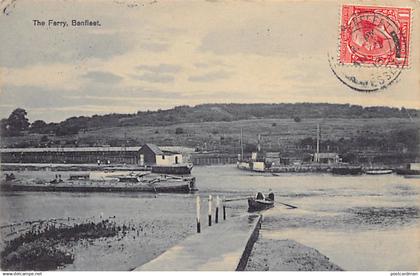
(222, 247)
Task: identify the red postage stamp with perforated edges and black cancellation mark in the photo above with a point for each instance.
(375, 35)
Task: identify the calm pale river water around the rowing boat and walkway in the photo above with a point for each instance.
(359, 222)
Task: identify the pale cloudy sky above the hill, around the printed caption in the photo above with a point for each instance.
(149, 55)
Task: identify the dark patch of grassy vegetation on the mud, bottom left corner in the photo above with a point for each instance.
(48, 247)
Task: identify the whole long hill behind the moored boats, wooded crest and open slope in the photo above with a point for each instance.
(289, 128)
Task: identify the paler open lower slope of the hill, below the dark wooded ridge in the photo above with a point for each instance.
(396, 136)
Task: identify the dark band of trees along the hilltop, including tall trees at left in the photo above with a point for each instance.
(17, 123)
